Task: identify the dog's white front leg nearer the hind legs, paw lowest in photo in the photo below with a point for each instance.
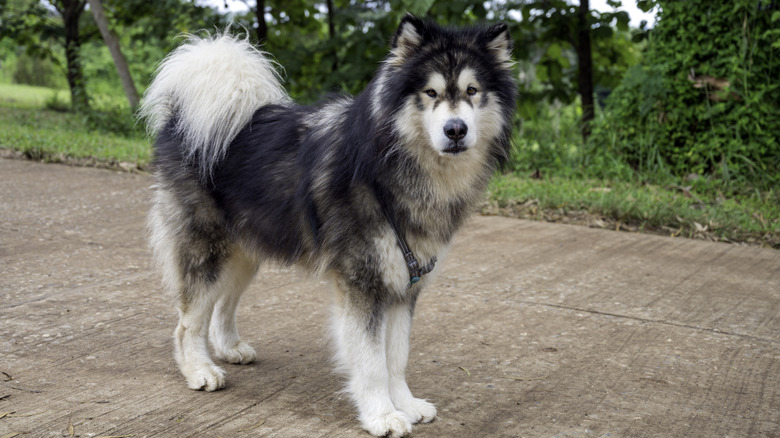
(359, 336)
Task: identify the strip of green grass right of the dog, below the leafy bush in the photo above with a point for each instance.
(670, 210)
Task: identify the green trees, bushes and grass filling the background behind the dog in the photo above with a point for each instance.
(671, 130)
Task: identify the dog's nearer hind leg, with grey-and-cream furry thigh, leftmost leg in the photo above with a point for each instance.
(192, 248)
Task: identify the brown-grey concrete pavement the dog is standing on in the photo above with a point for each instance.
(532, 329)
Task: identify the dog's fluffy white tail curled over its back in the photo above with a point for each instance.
(211, 85)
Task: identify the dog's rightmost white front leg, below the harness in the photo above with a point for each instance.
(398, 328)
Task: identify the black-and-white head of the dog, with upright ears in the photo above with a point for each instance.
(454, 85)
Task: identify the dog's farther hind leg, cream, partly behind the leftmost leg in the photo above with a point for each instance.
(223, 333)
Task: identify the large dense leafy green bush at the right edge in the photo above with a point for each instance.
(706, 99)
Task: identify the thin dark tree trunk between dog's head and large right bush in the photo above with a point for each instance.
(585, 70)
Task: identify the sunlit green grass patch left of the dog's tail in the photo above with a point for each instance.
(60, 136)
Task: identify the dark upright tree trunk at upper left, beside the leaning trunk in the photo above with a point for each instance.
(71, 10)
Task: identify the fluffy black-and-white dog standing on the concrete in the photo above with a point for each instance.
(366, 191)
